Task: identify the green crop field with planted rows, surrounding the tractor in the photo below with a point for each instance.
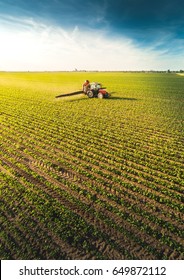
(85, 178)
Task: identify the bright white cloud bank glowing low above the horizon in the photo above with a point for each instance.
(30, 45)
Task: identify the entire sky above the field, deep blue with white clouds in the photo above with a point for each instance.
(52, 35)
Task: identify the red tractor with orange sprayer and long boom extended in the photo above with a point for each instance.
(91, 90)
